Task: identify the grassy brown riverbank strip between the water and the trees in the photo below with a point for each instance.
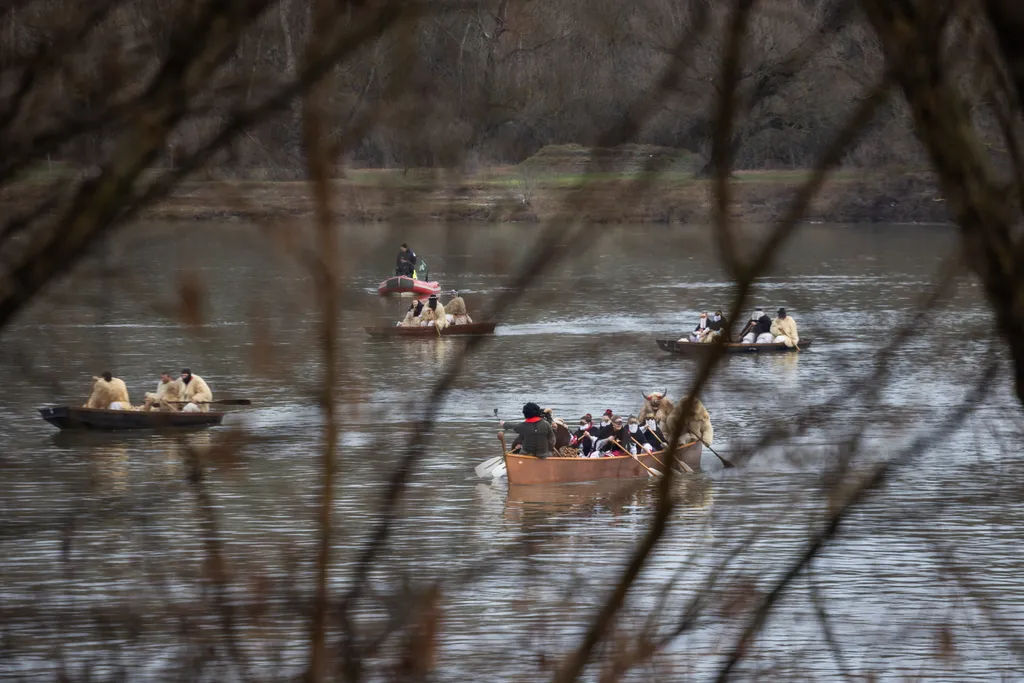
(513, 195)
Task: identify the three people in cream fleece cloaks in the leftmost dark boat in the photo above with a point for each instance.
(189, 394)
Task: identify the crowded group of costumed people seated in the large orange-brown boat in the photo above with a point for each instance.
(541, 435)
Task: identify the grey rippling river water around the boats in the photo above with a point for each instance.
(102, 547)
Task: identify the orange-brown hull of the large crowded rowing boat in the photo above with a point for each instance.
(532, 471)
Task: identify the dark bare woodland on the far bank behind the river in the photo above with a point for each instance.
(477, 84)
